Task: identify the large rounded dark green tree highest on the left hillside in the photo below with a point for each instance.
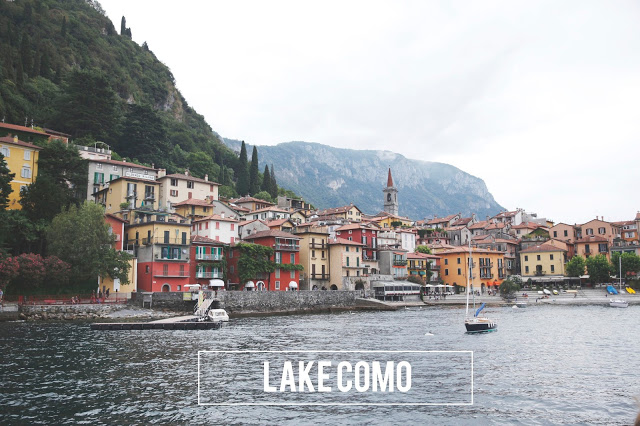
(88, 106)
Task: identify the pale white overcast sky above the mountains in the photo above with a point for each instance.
(538, 98)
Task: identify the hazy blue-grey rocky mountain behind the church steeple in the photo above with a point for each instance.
(330, 177)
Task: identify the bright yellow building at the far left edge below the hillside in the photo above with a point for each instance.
(22, 160)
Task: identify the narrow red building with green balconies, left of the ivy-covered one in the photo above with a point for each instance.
(206, 260)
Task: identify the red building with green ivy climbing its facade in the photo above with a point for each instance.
(286, 252)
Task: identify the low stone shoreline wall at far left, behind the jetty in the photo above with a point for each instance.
(67, 312)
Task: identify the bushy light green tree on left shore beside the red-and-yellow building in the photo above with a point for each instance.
(80, 237)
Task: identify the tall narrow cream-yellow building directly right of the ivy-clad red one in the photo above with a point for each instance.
(314, 257)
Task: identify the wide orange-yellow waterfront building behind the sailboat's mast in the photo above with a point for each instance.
(488, 269)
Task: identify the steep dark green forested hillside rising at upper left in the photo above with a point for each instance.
(64, 66)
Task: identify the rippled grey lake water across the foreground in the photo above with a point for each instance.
(545, 365)
